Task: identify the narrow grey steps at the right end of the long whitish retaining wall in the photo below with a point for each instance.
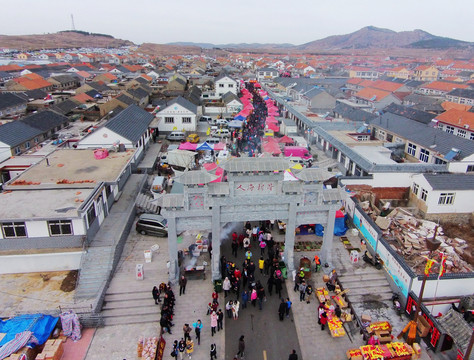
(95, 269)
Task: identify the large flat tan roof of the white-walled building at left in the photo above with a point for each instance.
(68, 168)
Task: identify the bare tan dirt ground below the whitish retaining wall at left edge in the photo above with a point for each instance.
(36, 292)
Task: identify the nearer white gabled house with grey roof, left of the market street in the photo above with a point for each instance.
(177, 115)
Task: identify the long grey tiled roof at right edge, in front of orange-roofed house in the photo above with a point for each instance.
(425, 136)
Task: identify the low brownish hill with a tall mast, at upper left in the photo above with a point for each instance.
(61, 40)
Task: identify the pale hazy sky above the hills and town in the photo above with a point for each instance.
(221, 22)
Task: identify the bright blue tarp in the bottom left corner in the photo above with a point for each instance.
(39, 324)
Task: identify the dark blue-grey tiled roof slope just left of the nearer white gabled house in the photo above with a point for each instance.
(130, 123)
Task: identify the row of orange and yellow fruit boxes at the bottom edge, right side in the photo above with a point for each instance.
(392, 351)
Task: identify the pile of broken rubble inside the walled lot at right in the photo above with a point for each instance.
(407, 235)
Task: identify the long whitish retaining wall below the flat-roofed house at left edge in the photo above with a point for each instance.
(12, 264)
